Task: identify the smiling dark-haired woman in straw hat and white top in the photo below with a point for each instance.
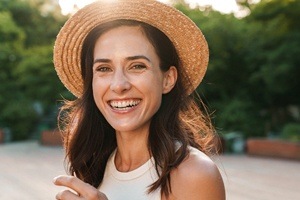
(134, 132)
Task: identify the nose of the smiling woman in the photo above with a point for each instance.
(120, 82)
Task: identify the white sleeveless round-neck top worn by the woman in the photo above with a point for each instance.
(131, 185)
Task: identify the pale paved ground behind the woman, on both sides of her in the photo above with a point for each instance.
(27, 170)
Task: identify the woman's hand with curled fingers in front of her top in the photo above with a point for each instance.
(82, 189)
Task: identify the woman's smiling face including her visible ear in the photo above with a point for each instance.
(127, 81)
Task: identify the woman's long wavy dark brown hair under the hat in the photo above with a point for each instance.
(89, 139)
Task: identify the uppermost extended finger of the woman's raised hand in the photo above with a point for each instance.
(75, 184)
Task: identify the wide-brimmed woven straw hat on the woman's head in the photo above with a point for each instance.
(188, 40)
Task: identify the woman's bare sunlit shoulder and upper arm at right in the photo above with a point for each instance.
(197, 177)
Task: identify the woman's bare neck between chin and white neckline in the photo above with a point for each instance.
(132, 151)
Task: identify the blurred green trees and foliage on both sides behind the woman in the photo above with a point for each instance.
(251, 86)
